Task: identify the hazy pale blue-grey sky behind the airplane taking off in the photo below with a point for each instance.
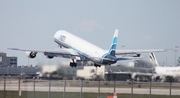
(142, 24)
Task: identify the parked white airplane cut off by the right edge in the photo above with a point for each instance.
(164, 73)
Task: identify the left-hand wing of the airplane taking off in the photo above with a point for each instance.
(51, 53)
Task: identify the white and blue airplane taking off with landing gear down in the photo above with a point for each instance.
(75, 47)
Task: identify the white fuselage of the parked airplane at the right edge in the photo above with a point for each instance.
(168, 71)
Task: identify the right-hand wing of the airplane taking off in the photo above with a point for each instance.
(125, 52)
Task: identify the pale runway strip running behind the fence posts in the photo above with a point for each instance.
(156, 91)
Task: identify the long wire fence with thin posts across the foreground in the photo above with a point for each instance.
(35, 88)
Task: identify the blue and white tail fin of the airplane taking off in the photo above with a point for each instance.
(112, 49)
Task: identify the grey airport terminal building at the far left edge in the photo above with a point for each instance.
(8, 67)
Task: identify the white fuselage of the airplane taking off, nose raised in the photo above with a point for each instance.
(83, 47)
